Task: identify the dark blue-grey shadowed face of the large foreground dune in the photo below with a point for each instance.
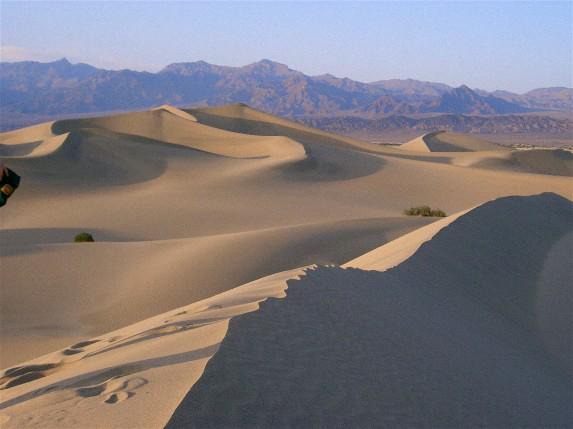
(448, 338)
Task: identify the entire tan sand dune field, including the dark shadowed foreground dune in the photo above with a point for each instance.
(367, 317)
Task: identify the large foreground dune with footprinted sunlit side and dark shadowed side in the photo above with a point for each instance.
(377, 352)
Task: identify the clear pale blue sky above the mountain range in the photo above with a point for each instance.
(515, 46)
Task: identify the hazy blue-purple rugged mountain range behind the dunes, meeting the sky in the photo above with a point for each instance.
(32, 89)
